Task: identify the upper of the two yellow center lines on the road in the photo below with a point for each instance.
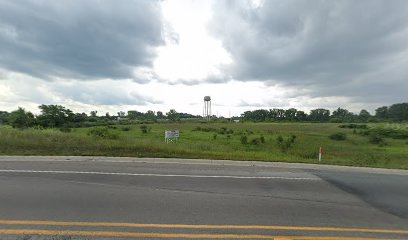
(185, 226)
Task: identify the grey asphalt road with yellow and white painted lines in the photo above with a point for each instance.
(103, 198)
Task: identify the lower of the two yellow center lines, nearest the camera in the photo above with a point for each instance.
(163, 235)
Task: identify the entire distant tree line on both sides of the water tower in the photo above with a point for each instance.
(57, 116)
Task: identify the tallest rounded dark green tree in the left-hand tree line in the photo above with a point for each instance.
(54, 116)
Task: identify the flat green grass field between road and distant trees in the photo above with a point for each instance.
(216, 141)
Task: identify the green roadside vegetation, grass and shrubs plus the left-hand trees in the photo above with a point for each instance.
(58, 131)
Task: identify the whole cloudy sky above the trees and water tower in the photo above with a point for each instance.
(113, 56)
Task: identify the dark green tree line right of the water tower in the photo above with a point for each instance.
(396, 112)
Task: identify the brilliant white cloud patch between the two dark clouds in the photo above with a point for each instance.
(196, 55)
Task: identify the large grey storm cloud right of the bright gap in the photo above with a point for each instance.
(336, 48)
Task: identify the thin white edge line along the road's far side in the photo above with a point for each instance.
(155, 175)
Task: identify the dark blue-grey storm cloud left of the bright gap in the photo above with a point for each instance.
(79, 39)
